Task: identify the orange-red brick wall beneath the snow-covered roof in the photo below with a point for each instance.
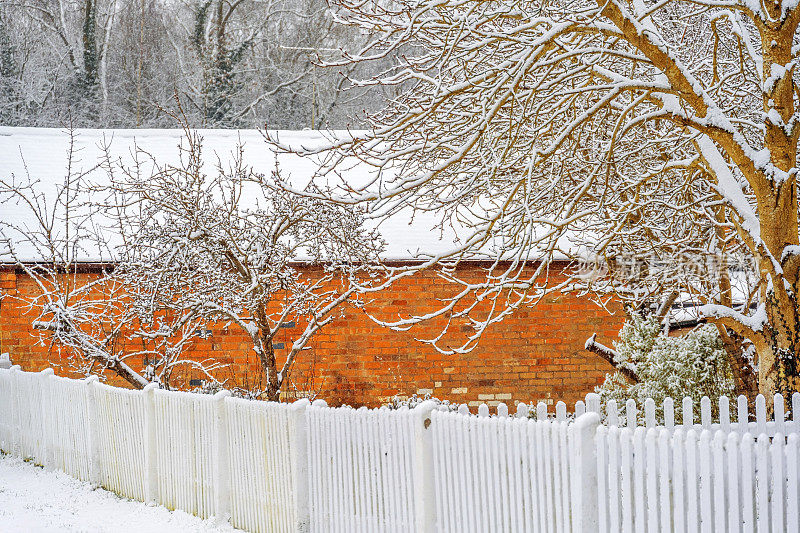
(536, 354)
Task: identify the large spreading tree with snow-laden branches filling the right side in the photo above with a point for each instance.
(663, 132)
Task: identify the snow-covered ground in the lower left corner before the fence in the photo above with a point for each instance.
(32, 500)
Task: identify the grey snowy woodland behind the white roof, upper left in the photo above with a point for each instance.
(233, 63)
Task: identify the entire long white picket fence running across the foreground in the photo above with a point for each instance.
(307, 467)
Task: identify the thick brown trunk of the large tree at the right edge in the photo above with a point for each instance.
(776, 196)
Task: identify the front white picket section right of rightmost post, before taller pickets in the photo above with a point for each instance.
(654, 480)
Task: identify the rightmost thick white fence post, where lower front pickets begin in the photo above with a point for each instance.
(585, 515)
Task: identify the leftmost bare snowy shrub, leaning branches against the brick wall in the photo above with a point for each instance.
(81, 306)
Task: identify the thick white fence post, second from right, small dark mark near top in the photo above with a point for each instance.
(424, 490)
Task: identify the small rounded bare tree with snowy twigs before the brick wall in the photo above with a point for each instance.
(225, 245)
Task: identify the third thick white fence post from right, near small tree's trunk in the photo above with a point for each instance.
(299, 456)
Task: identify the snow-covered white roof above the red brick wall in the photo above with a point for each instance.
(42, 154)
